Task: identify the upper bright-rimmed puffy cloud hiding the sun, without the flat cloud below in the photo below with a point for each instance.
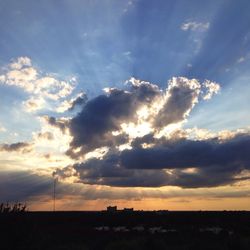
(115, 118)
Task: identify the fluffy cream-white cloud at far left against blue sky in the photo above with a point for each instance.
(42, 88)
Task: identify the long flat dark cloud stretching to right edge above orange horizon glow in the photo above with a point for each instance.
(212, 163)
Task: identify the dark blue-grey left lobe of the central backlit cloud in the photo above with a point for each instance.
(92, 127)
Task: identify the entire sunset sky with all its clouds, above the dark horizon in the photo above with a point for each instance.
(136, 103)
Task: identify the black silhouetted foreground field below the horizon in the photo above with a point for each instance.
(121, 230)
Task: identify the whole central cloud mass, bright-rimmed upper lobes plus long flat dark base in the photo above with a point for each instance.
(165, 155)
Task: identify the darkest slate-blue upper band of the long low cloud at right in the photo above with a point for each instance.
(187, 153)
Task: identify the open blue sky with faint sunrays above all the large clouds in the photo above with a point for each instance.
(104, 43)
